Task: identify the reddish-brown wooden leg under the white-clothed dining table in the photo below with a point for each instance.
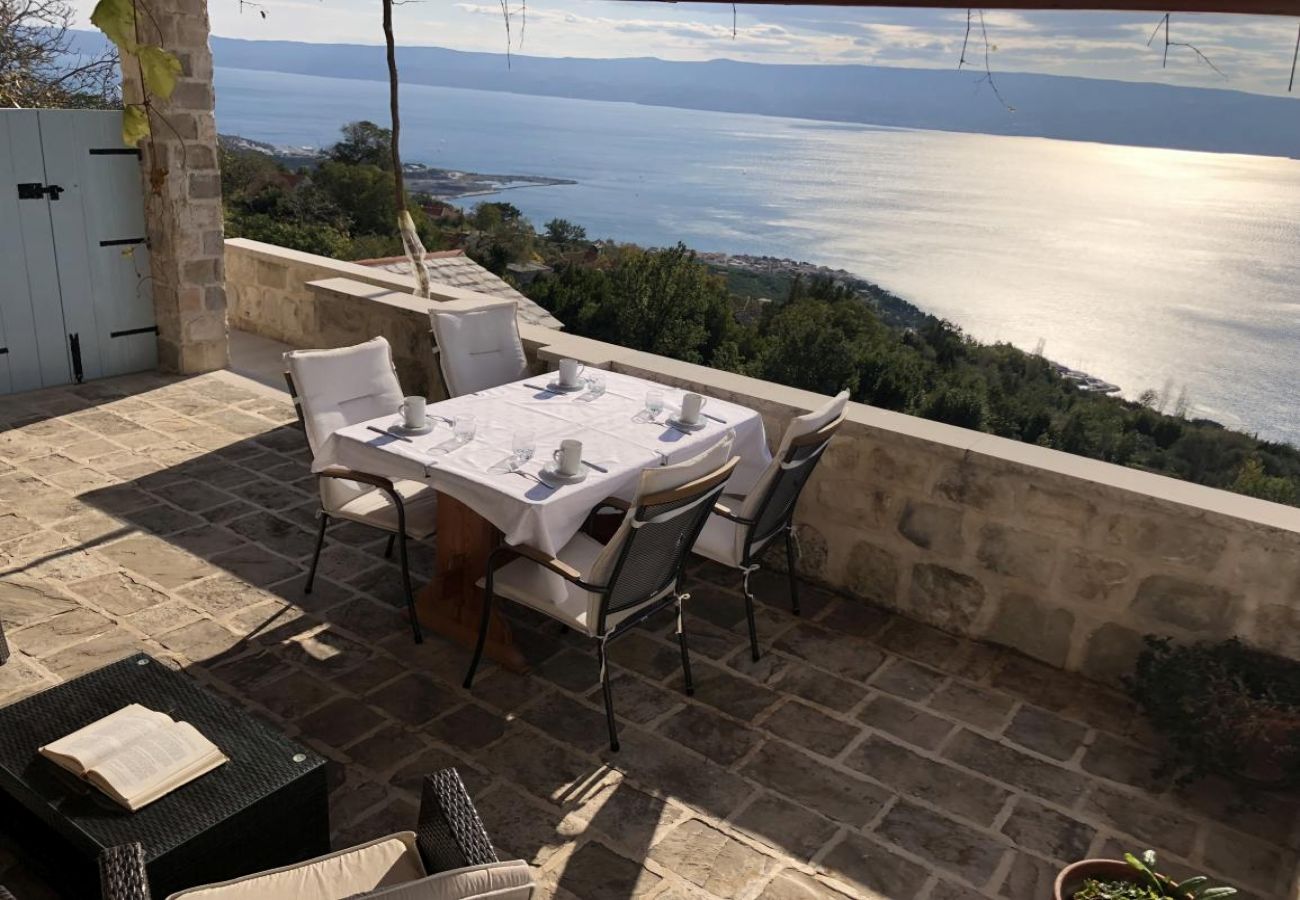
(452, 605)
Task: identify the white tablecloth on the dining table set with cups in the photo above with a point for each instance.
(612, 429)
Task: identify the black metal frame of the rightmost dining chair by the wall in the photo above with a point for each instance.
(800, 460)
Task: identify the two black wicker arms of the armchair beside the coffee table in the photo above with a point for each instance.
(449, 836)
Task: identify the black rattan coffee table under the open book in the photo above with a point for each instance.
(267, 807)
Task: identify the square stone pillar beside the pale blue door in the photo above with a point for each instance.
(183, 196)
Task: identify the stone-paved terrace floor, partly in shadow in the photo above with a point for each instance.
(864, 756)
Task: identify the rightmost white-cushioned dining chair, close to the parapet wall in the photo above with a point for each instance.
(744, 526)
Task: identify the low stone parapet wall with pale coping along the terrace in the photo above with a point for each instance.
(1064, 559)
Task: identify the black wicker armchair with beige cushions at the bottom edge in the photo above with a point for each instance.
(449, 858)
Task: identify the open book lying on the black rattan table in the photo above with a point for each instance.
(136, 755)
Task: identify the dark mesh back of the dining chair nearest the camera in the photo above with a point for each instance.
(664, 529)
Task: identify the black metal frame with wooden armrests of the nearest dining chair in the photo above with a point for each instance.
(704, 491)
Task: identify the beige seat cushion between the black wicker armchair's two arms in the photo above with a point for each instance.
(380, 863)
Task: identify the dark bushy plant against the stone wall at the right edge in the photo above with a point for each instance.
(1221, 708)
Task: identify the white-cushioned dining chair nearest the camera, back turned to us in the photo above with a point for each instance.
(612, 589)
